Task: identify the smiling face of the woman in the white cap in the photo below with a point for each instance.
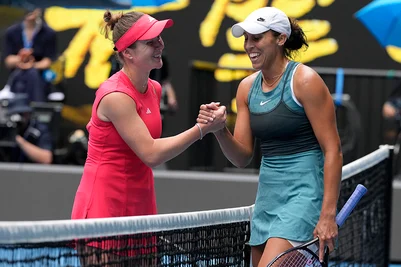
(262, 49)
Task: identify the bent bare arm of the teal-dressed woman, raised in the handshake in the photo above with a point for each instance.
(238, 149)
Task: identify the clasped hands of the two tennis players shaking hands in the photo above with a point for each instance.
(212, 117)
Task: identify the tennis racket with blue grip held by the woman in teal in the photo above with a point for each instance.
(304, 255)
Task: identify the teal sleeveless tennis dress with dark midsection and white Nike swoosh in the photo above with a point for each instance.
(290, 190)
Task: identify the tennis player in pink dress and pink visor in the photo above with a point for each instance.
(125, 128)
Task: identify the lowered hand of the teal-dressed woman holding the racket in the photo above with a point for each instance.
(327, 231)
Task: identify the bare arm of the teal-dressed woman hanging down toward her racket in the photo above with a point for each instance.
(315, 97)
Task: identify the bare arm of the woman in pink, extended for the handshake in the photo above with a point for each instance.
(120, 109)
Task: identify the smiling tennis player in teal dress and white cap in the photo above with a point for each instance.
(287, 106)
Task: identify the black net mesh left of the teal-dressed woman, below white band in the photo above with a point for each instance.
(217, 245)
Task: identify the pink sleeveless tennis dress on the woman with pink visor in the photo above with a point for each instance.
(115, 182)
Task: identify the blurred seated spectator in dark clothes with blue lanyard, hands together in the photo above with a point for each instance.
(28, 51)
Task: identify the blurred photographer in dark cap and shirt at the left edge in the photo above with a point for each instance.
(33, 139)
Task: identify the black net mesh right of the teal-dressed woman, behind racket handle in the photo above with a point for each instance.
(364, 237)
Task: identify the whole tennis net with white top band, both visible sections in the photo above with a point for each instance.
(205, 238)
